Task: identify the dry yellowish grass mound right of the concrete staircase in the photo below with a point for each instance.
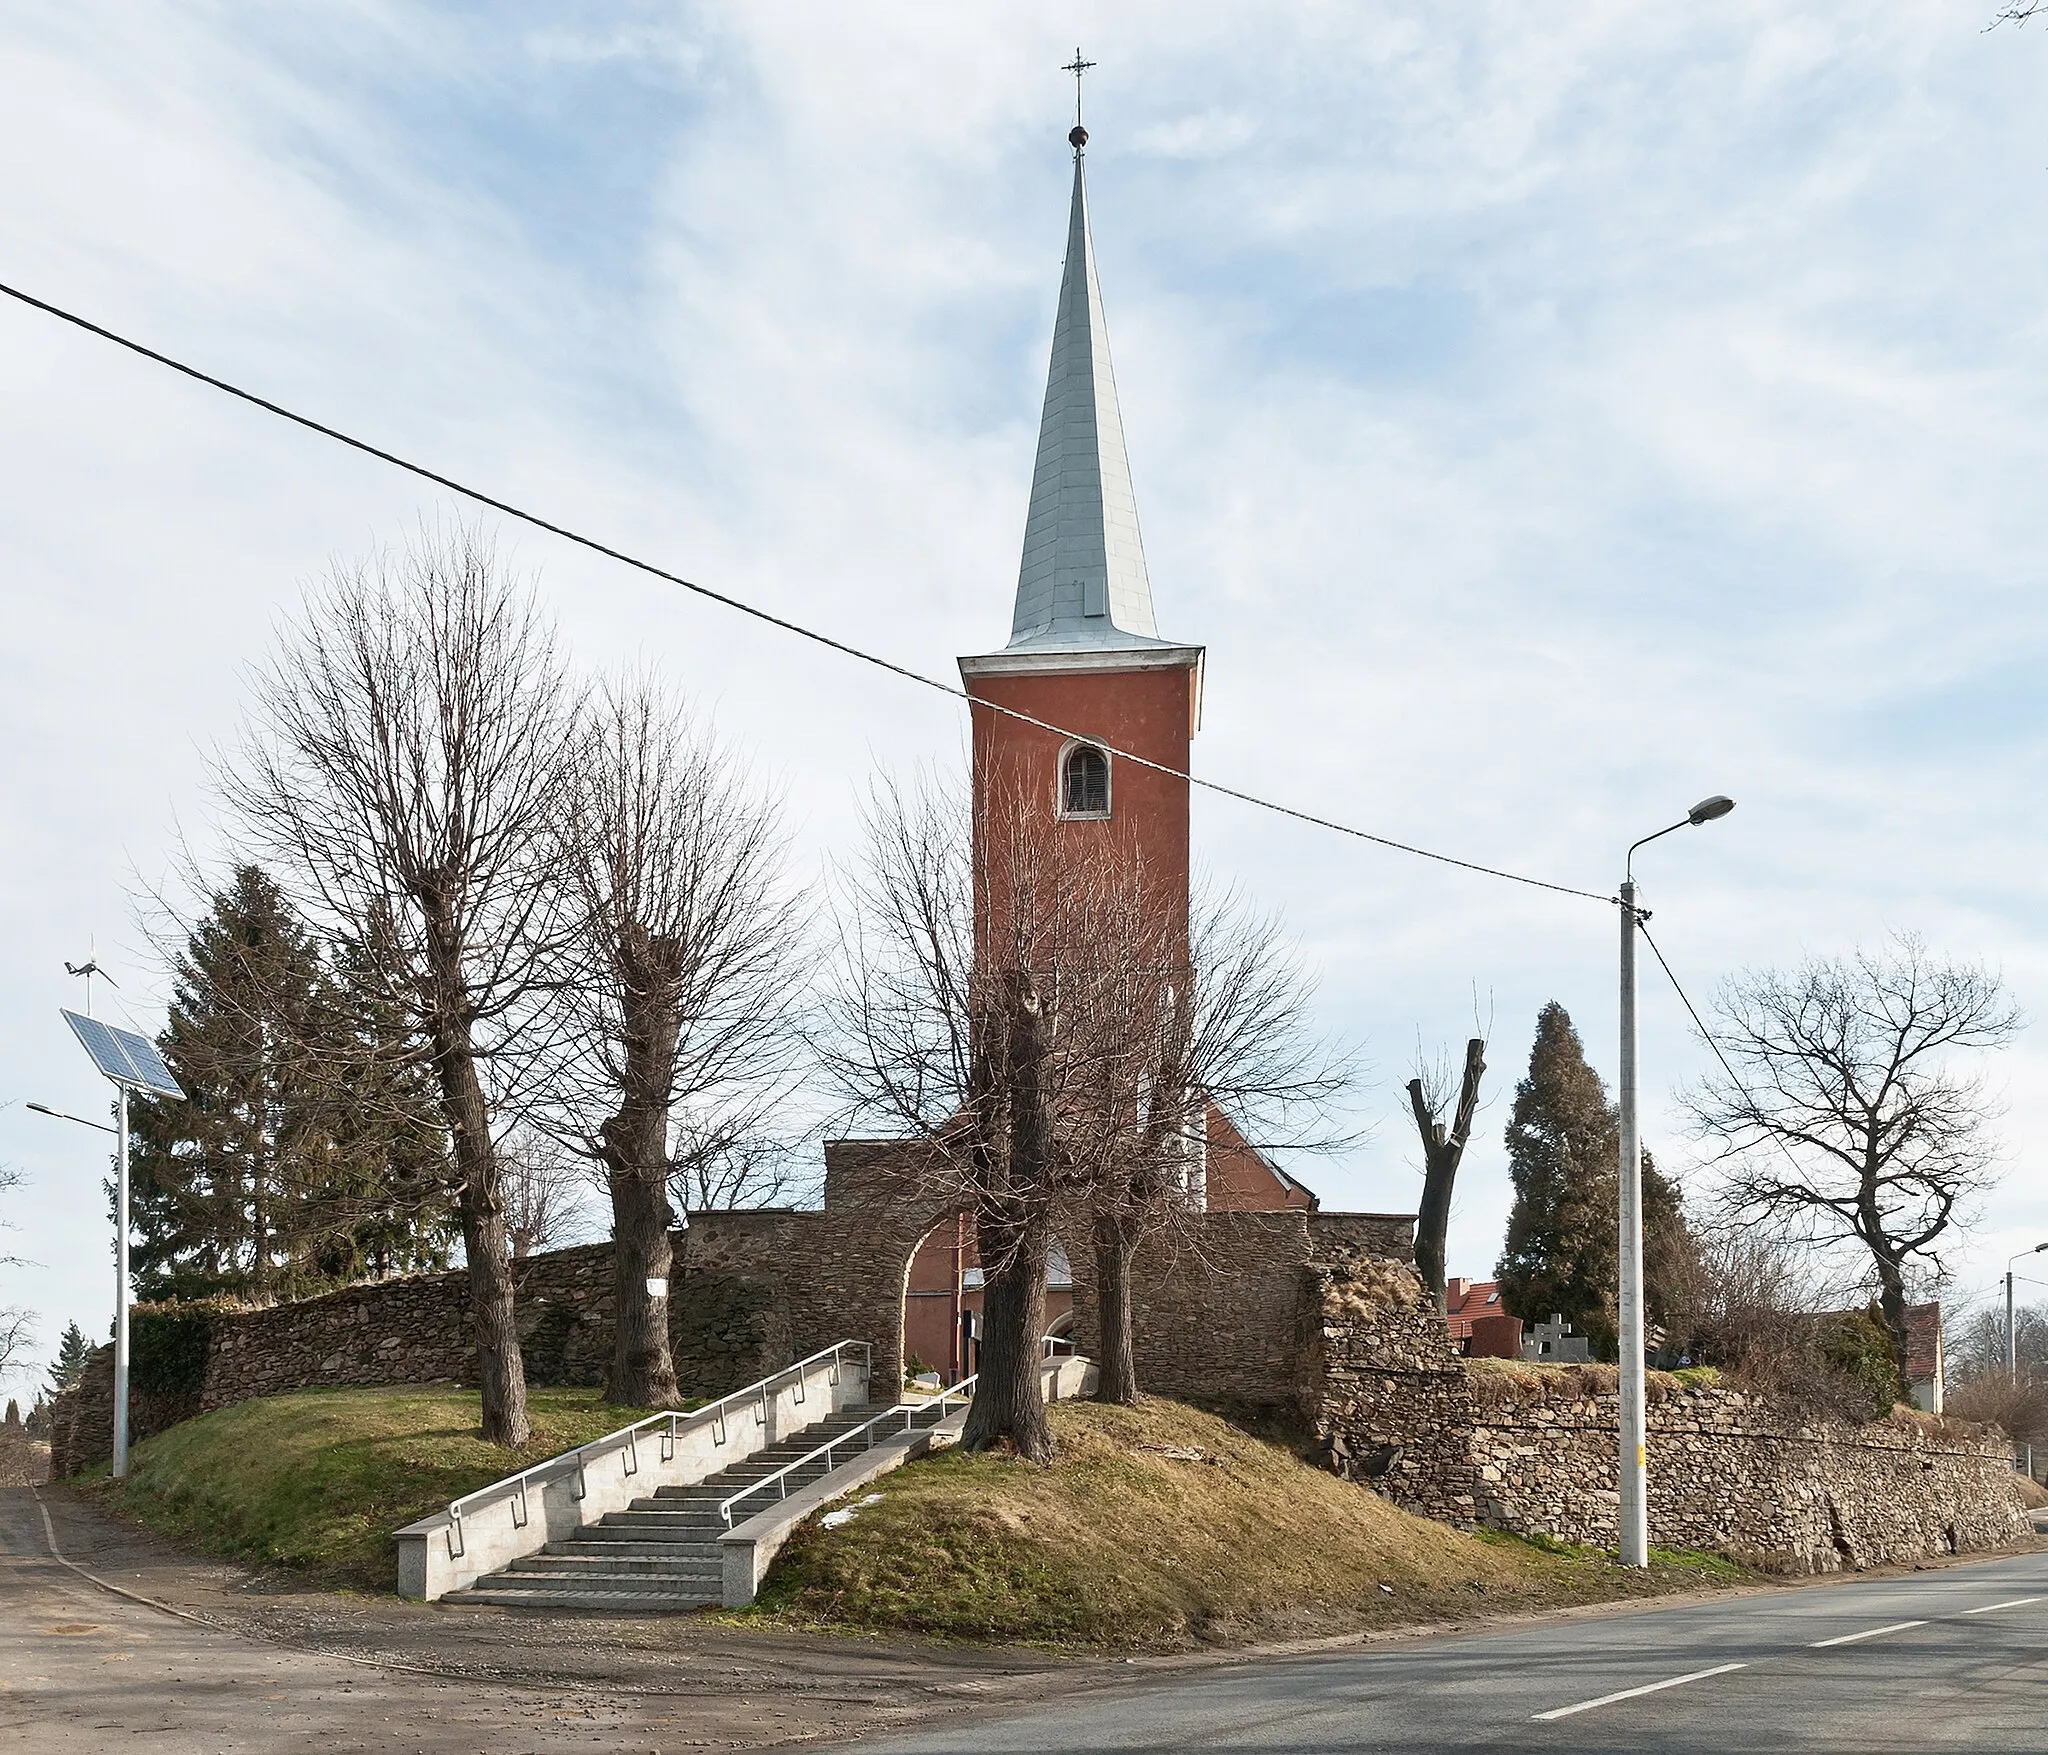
(1154, 1529)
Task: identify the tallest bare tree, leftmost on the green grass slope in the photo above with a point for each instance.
(404, 773)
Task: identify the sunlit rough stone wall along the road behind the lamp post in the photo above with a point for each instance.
(1535, 1451)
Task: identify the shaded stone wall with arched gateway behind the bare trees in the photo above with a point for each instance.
(1228, 1318)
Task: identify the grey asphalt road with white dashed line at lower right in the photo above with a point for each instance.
(1943, 1660)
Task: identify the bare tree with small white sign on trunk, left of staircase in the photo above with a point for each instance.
(679, 990)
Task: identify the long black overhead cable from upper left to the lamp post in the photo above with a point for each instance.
(763, 615)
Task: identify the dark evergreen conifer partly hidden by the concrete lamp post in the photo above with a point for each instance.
(1564, 1232)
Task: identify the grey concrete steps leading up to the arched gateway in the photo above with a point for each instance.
(660, 1553)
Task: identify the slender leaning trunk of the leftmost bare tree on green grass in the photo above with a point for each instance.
(501, 1365)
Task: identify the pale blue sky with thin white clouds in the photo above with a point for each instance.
(1545, 415)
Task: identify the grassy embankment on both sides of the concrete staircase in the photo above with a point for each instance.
(1154, 1529)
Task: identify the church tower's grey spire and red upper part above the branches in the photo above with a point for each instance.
(1084, 650)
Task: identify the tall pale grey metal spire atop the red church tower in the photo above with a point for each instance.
(1082, 583)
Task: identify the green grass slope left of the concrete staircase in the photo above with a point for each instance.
(321, 1482)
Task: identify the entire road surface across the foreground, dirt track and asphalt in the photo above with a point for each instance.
(1943, 1660)
